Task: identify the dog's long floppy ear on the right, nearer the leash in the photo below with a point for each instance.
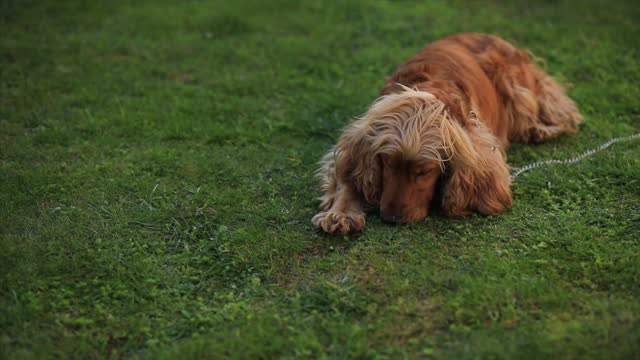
(478, 178)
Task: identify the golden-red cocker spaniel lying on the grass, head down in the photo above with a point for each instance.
(440, 130)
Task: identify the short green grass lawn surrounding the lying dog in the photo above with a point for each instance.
(156, 173)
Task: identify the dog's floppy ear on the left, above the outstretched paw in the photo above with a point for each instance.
(356, 163)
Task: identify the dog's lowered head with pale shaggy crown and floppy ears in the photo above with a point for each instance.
(400, 149)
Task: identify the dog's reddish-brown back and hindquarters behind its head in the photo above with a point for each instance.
(487, 75)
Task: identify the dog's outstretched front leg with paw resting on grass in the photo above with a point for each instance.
(341, 205)
